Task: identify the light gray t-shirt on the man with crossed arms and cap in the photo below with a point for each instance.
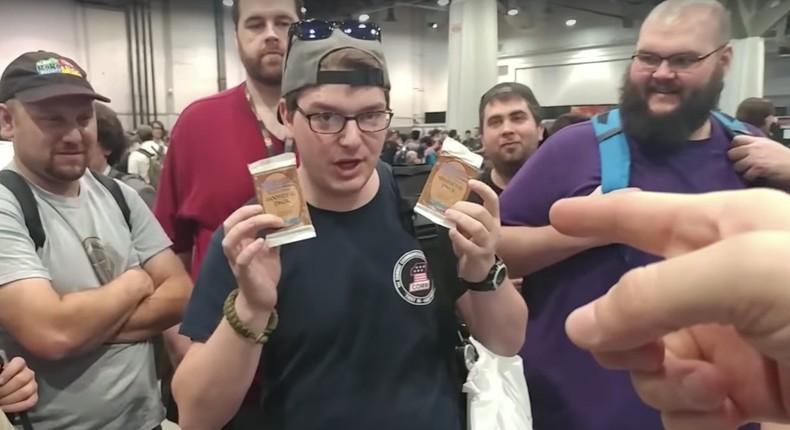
(114, 386)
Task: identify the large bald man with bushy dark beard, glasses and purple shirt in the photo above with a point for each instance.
(670, 89)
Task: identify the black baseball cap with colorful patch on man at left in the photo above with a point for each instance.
(40, 75)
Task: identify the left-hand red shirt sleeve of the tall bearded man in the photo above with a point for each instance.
(172, 191)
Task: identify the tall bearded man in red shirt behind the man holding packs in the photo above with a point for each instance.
(205, 176)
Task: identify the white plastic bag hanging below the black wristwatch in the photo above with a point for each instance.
(497, 393)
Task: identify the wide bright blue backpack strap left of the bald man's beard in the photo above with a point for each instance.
(614, 151)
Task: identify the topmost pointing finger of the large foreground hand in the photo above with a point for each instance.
(671, 224)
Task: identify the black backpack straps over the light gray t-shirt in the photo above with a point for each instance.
(27, 200)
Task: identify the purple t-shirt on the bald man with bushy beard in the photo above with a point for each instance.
(568, 389)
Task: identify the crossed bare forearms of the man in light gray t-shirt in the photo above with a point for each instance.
(132, 308)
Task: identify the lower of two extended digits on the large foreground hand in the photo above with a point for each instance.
(746, 283)
